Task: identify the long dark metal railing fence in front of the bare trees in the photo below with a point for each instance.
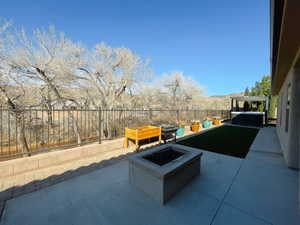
(34, 130)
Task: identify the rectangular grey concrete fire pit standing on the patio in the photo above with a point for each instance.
(164, 170)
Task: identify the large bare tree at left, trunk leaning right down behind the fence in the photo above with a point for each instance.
(46, 59)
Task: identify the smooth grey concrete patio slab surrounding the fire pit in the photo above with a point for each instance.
(259, 189)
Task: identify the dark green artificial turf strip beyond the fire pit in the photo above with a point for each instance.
(228, 140)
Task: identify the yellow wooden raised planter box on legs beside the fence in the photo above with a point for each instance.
(141, 133)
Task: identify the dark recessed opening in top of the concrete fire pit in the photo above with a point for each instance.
(164, 156)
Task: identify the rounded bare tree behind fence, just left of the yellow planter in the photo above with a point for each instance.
(111, 73)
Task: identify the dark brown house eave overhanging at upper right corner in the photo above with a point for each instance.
(285, 39)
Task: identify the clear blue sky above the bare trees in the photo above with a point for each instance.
(222, 44)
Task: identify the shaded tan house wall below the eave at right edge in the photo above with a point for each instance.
(289, 140)
